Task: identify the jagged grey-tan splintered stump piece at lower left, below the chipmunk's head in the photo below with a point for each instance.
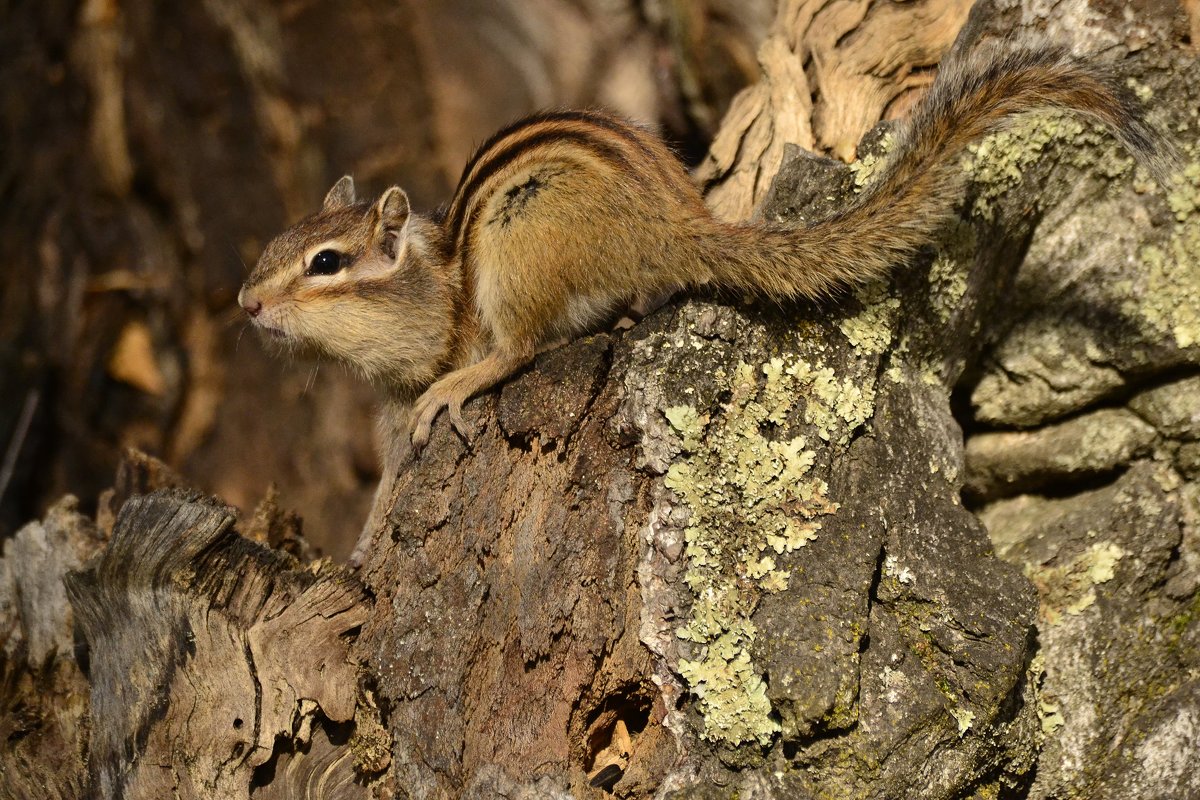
(217, 665)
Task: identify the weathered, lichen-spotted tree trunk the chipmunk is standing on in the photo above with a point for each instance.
(935, 540)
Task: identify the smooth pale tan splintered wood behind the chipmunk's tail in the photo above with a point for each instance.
(831, 70)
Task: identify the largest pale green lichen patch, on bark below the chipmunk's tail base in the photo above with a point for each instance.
(752, 500)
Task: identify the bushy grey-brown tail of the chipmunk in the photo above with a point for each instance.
(905, 207)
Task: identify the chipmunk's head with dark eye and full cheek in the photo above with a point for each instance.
(358, 282)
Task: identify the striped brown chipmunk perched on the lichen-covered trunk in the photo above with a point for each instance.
(565, 218)
